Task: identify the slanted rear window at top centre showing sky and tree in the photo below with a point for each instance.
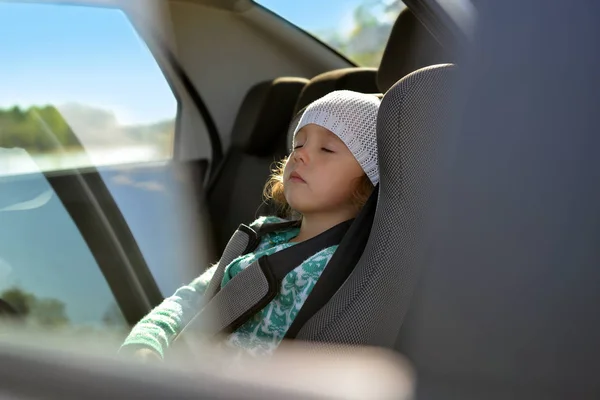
(358, 29)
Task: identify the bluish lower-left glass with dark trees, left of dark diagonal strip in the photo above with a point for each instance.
(48, 276)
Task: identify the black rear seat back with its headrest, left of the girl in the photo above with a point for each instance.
(235, 190)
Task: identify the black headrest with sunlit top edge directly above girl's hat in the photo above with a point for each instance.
(363, 80)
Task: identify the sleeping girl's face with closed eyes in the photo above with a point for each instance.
(321, 173)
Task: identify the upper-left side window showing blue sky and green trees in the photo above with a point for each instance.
(80, 88)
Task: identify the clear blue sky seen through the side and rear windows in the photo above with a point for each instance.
(59, 54)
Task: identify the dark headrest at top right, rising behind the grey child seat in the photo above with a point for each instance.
(410, 46)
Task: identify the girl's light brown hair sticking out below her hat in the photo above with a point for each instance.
(274, 191)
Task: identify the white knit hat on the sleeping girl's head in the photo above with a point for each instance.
(352, 117)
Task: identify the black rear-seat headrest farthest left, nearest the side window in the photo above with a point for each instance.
(265, 113)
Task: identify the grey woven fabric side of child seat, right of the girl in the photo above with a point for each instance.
(370, 306)
